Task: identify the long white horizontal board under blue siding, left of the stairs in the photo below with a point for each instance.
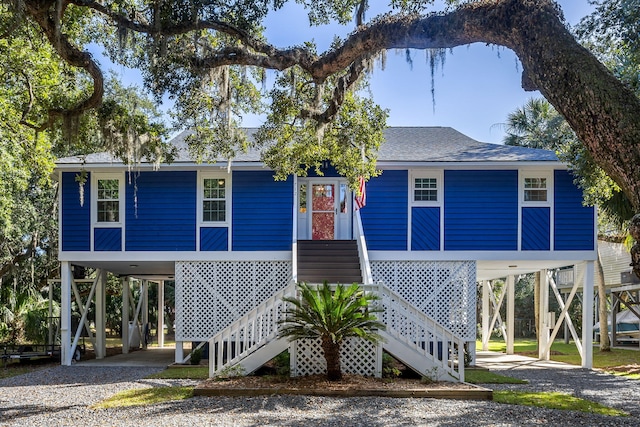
(77, 256)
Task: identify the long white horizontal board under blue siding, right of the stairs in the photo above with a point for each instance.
(577, 256)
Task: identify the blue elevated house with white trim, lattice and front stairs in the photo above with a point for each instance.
(446, 213)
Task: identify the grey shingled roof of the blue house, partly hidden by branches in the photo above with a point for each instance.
(402, 144)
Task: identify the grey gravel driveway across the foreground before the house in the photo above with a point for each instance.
(60, 396)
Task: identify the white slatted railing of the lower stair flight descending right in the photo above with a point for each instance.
(406, 324)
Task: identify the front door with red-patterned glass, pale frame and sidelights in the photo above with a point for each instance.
(323, 209)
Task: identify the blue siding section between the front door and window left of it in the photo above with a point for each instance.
(262, 212)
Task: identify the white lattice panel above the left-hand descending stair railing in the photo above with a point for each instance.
(212, 294)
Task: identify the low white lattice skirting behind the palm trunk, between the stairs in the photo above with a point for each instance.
(357, 356)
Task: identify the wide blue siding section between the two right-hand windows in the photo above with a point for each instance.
(481, 210)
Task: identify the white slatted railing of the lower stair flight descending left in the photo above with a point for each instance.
(249, 333)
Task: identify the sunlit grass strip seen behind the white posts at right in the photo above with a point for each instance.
(568, 353)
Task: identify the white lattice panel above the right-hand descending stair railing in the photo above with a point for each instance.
(443, 290)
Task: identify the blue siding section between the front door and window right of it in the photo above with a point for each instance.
(384, 218)
